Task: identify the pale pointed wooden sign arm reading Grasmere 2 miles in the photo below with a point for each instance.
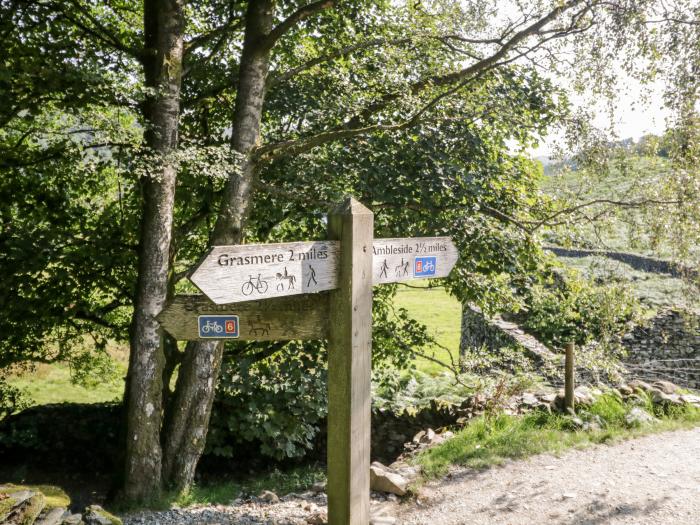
(247, 272)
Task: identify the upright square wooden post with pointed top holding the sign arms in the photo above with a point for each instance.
(349, 366)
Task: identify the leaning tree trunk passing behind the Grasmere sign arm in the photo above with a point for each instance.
(191, 409)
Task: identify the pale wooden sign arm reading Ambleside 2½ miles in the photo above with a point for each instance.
(394, 260)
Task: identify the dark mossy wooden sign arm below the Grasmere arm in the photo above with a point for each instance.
(281, 319)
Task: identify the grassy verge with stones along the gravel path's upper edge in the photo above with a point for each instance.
(489, 441)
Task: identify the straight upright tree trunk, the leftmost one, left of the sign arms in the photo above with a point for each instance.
(164, 27)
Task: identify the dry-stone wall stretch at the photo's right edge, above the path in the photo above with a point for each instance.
(666, 347)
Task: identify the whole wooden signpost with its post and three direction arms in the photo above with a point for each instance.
(314, 290)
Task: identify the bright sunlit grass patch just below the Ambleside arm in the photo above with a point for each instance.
(441, 313)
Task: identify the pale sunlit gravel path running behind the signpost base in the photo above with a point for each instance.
(650, 480)
